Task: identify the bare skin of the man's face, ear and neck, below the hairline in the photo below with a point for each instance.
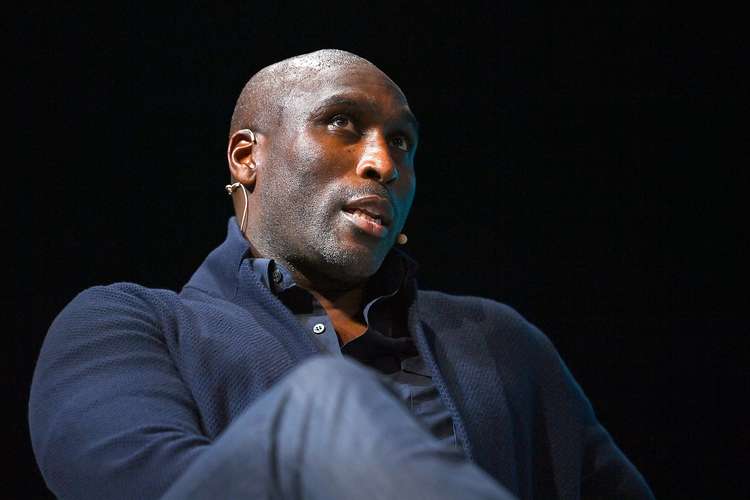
(345, 135)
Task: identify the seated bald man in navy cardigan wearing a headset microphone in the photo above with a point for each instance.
(301, 361)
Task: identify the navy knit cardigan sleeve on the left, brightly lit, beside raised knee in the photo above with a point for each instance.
(109, 415)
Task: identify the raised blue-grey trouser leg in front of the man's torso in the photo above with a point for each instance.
(332, 429)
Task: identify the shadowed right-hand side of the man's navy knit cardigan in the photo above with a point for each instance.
(511, 386)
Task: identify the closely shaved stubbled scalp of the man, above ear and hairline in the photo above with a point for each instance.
(263, 98)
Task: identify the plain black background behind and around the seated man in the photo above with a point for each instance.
(575, 163)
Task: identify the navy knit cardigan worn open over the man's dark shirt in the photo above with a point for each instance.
(133, 384)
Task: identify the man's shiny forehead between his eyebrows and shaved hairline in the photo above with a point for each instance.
(360, 84)
